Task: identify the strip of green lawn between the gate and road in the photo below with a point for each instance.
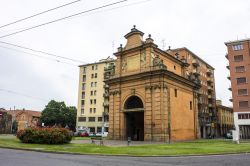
(198, 147)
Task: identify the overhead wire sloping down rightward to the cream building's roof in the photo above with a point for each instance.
(43, 52)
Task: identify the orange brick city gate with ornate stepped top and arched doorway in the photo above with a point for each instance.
(152, 96)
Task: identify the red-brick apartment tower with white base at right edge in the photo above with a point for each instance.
(239, 66)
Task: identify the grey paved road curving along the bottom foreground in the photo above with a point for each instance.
(26, 158)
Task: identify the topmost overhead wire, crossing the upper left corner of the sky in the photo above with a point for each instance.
(38, 14)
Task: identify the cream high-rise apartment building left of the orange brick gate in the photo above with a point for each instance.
(92, 109)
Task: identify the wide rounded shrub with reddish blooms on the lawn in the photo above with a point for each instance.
(45, 135)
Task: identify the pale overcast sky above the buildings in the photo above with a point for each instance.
(202, 26)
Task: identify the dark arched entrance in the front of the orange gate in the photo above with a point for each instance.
(134, 114)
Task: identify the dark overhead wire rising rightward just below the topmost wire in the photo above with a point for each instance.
(63, 18)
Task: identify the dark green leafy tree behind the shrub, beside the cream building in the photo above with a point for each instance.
(58, 114)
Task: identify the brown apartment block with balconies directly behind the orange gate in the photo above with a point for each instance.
(204, 72)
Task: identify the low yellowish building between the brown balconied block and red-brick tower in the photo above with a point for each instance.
(225, 118)
